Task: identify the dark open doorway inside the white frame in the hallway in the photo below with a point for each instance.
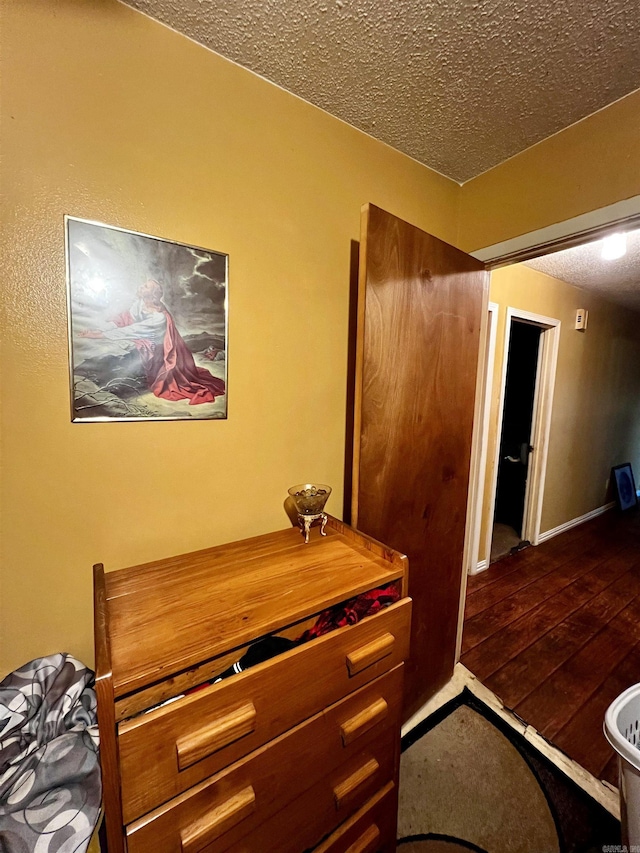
(515, 439)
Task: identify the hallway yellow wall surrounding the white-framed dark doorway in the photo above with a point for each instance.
(596, 406)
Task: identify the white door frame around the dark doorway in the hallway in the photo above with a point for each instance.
(541, 420)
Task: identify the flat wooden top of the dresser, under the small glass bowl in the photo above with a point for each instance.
(168, 615)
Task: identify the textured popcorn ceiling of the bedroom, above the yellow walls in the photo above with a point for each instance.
(460, 85)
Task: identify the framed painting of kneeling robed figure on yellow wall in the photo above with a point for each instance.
(147, 326)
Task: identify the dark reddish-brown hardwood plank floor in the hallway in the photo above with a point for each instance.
(554, 631)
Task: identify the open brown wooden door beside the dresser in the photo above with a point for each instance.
(420, 304)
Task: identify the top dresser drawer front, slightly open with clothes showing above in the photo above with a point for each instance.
(169, 750)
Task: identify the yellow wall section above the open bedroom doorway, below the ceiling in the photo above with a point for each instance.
(589, 165)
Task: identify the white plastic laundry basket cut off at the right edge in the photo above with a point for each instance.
(622, 730)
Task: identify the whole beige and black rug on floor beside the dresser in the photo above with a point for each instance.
(470, 782)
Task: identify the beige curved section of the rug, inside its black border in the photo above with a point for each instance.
(444, 772)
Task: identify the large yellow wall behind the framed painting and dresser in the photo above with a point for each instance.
(112, 117)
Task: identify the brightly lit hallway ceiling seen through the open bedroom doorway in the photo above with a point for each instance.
(618, 281)
